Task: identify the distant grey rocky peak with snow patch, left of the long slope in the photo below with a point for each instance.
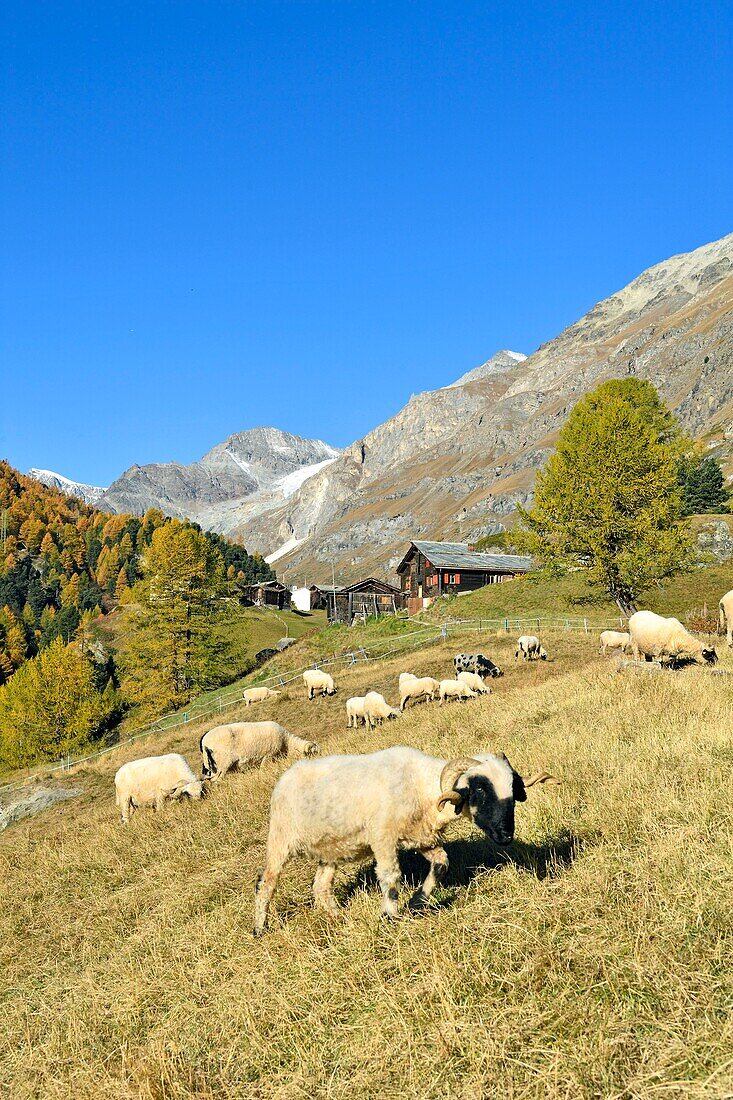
(250, 472)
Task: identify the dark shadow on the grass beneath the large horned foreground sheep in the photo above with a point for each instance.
(473, 857)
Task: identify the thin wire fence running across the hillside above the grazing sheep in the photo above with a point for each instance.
(378, 652)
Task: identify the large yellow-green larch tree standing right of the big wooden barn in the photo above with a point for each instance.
(609, 500)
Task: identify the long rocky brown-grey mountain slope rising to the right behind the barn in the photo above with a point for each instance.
(455, 463)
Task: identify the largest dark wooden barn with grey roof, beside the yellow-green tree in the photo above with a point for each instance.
(434, 569)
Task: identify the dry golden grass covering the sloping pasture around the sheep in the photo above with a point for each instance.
(589, 961)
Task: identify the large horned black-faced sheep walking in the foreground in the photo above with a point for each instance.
(347, 808)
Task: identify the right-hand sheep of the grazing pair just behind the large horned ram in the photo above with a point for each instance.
(243, 743)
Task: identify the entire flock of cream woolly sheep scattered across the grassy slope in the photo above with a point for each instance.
(343, 808)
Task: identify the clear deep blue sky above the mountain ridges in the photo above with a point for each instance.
(216, 215)
